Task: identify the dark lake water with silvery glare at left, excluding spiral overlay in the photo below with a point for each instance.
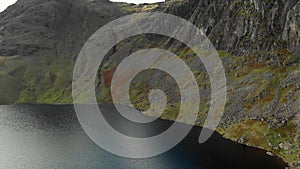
(50, 136)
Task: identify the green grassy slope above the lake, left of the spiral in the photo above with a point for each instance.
(49, 82)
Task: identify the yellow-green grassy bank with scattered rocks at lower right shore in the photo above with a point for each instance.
(280, 141)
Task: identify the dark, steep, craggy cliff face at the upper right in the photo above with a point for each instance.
(242, 26)
